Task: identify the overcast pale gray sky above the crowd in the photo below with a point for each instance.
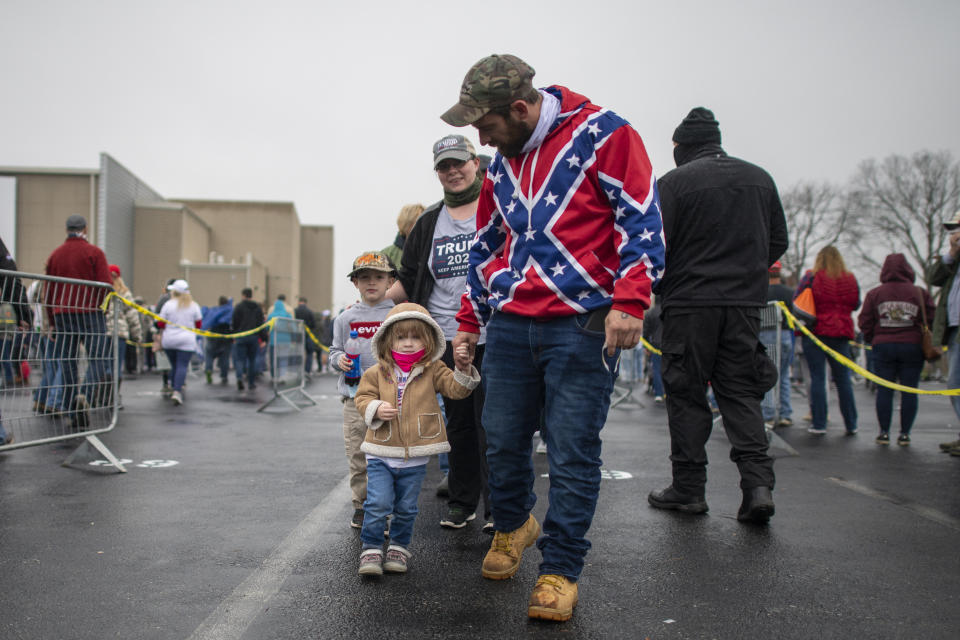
(335, 106)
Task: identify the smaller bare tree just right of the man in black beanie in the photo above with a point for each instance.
(814, 220)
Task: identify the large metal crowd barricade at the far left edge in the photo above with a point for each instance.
(68, 388)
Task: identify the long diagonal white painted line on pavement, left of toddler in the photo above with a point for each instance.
(230, 620)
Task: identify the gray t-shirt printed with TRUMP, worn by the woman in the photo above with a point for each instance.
(448, 264)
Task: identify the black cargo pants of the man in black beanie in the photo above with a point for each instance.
(718, 345)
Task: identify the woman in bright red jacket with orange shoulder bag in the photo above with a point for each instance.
(836, 295)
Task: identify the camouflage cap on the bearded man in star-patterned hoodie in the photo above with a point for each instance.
(494, 81)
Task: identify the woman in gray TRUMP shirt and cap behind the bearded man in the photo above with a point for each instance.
(433, 274)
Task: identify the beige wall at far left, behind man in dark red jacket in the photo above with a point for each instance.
(45, 199)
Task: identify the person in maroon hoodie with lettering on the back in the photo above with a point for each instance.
(890, 320)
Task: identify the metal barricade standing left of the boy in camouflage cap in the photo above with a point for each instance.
(286, 356)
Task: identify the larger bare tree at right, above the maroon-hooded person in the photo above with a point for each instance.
(900, 205)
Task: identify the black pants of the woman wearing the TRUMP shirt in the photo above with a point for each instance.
(467, 477)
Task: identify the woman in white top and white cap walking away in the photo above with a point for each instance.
(179, 312)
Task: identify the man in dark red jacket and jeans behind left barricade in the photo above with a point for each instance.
(76, 315)
